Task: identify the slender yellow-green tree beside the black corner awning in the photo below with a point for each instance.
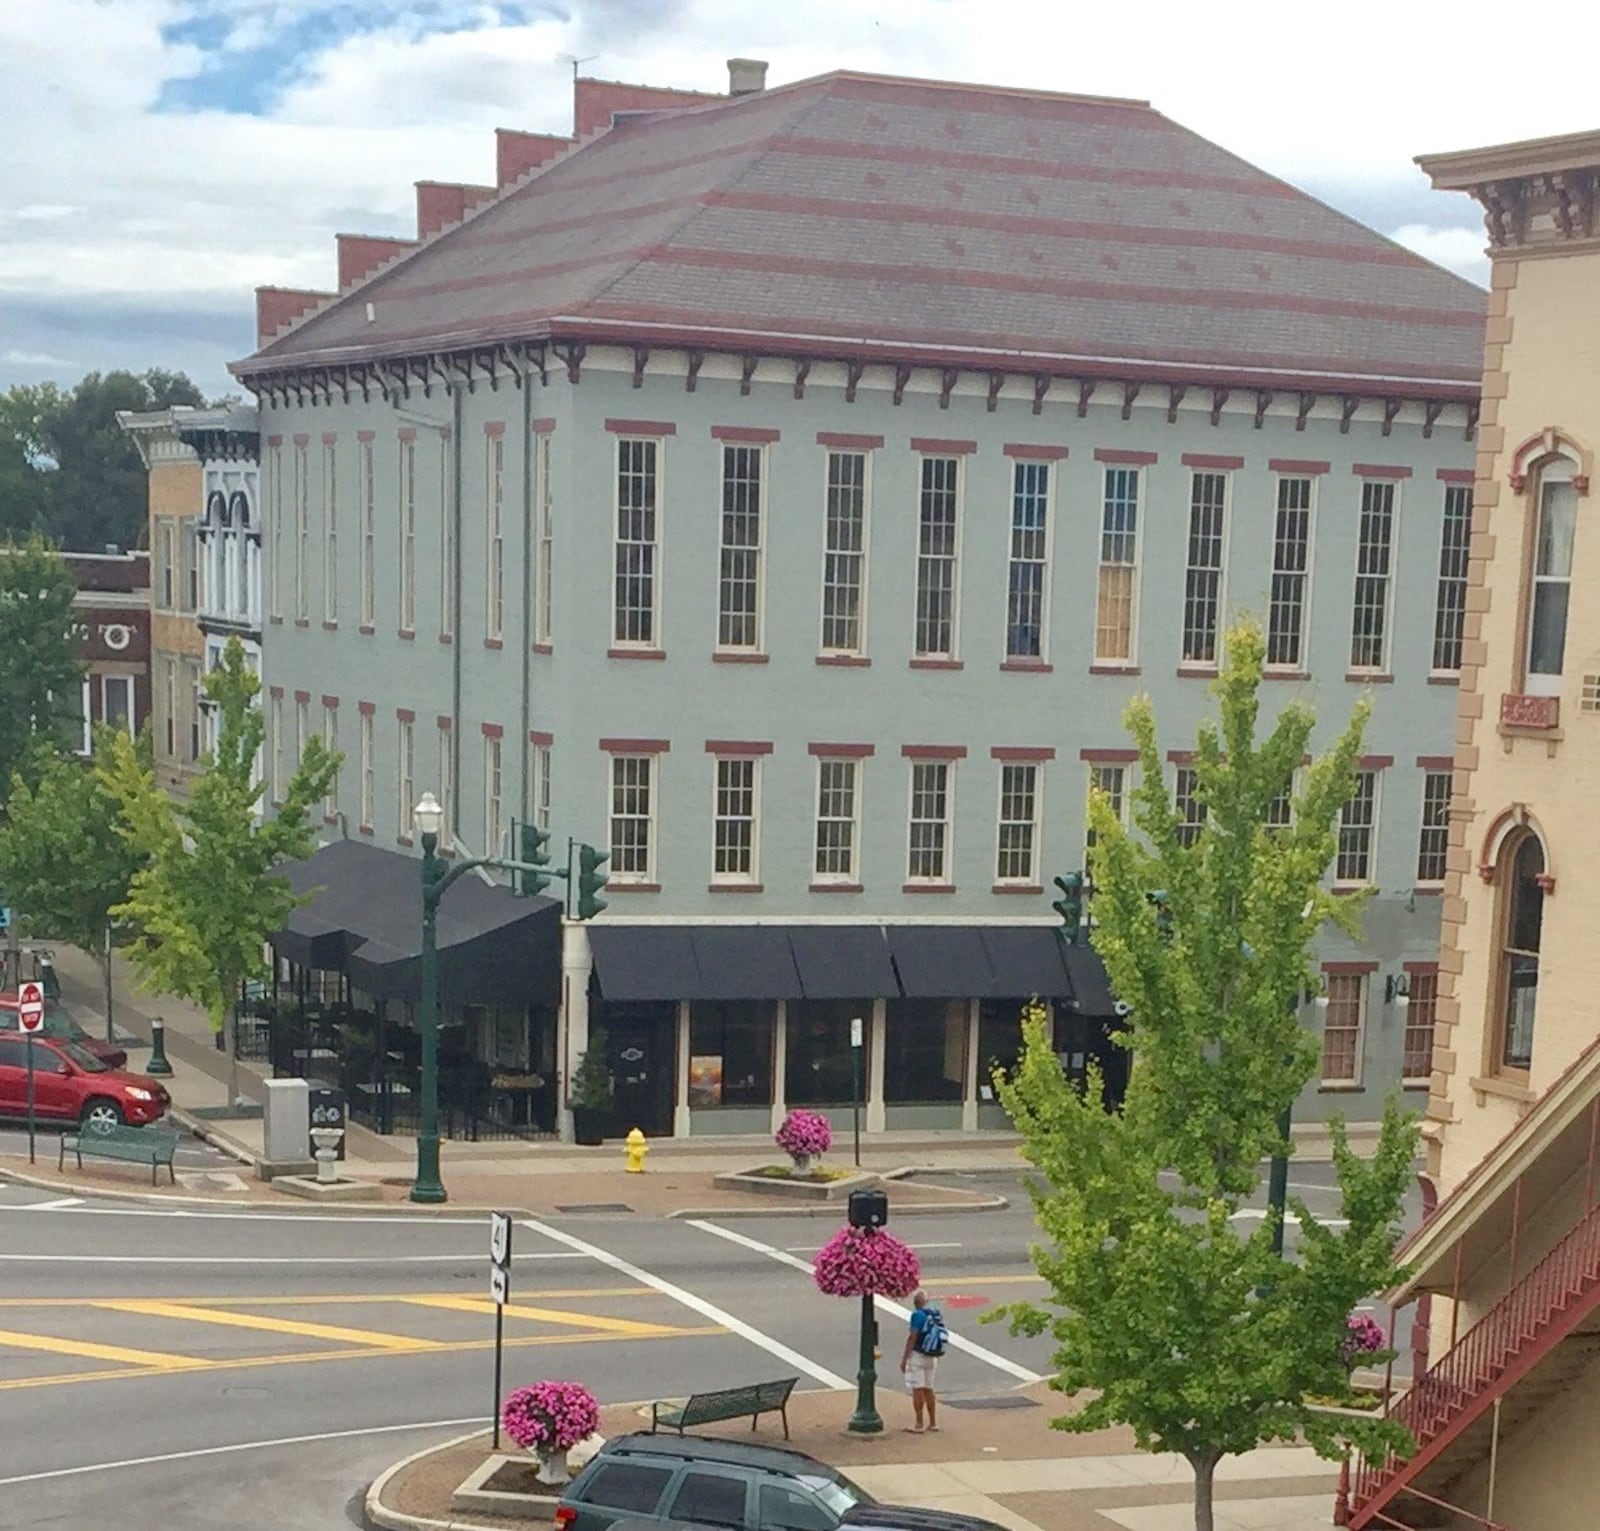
(209, 895)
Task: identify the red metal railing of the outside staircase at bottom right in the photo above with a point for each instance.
(1492, 1357)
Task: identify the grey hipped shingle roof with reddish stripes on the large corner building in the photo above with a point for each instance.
(959, 226)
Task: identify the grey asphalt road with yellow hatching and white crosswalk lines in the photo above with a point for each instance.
(186, 1369)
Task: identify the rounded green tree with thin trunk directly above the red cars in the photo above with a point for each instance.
(62, 858)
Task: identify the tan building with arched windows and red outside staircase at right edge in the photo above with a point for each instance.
(1506, 1337)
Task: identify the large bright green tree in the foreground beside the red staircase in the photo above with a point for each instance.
(1167, 1314)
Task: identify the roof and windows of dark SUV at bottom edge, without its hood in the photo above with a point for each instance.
(663, 1479)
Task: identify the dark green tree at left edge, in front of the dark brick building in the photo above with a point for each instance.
(41, 673)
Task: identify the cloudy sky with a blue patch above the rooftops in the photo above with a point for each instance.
(166, 158)
